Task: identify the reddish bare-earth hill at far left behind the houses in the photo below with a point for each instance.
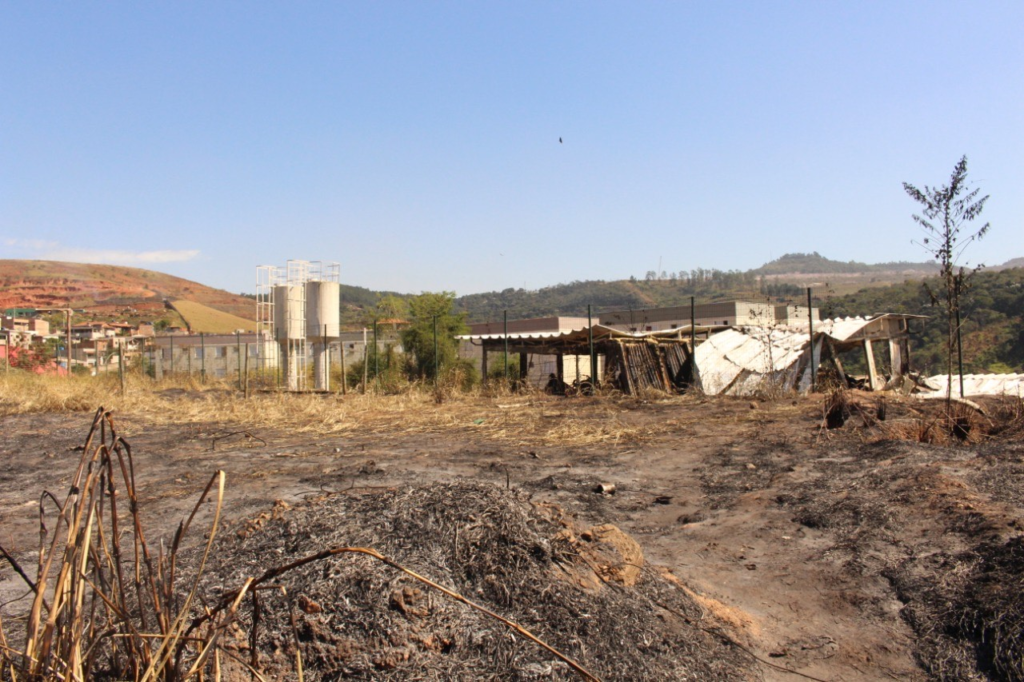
(58, 284)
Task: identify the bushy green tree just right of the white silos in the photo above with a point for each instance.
(428, 313)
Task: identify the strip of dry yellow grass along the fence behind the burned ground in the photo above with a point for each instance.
(529, 418)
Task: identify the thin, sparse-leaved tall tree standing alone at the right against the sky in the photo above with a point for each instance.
(947, 212)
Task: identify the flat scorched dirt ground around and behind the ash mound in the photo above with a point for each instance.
(784, 532)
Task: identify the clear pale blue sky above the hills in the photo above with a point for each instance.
(474, 147)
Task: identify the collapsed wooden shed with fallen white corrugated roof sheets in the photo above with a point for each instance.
(714, 359)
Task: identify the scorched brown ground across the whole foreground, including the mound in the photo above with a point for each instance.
(844, 555)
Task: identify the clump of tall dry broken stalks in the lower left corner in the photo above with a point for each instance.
(103, 608)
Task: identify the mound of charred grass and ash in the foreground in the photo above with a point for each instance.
(584, 592)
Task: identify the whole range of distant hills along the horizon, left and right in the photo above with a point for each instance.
(995, 309)
